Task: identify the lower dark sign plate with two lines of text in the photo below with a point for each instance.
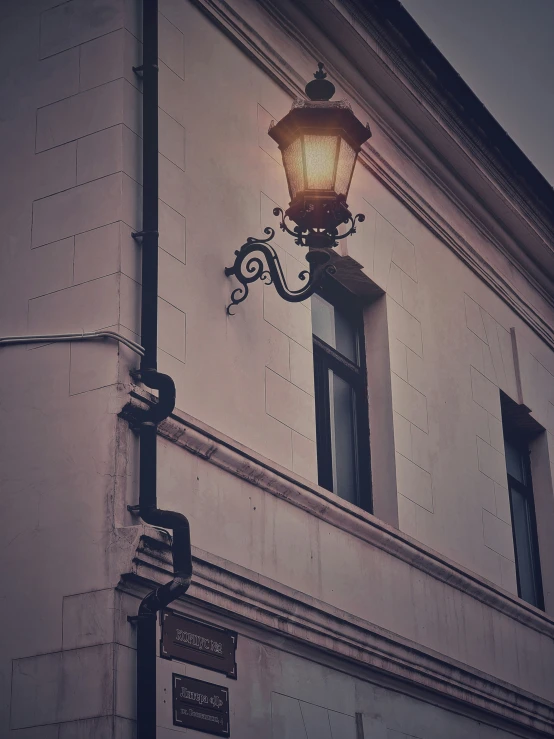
(200, 705)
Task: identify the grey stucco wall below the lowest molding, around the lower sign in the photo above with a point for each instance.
(292, 698)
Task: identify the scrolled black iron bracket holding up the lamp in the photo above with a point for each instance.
(258, 260)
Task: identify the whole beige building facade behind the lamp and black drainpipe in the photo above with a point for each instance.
(417, 600)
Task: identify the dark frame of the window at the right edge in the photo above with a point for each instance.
(526, 490)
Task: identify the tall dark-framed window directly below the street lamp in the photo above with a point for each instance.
(342, 427)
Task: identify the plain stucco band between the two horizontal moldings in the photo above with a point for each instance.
(239, 522)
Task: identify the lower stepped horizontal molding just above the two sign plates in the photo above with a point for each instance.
(269, 609)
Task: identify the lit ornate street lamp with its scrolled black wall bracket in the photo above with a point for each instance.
(319, 141)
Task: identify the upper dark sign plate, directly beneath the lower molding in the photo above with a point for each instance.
(198, 643)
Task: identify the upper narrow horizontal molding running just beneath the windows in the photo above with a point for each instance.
(203, 441)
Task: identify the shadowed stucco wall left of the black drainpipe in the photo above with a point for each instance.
(69, 201)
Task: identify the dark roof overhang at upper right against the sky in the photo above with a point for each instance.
(385, 58)
